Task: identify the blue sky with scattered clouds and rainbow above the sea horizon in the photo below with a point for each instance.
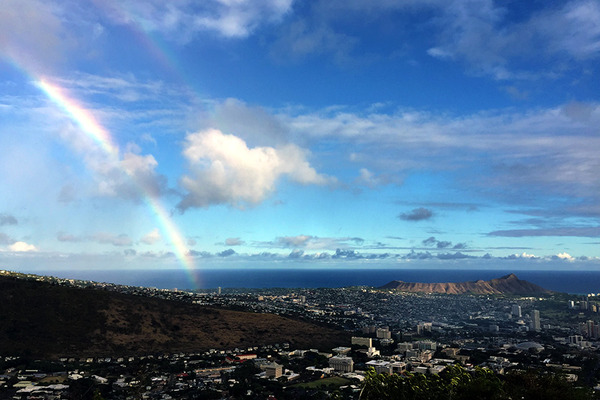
(183, 134)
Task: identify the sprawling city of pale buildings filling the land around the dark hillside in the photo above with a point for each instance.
(391, 332)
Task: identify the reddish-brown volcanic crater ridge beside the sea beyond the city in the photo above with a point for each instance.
(508, 284)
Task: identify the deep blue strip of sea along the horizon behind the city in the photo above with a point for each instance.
(579, 282)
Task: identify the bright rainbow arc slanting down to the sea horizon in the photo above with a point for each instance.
(92, 128)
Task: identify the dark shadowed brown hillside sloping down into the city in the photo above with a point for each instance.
(41, 319)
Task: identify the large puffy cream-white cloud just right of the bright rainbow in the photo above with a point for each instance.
(226, 171)
